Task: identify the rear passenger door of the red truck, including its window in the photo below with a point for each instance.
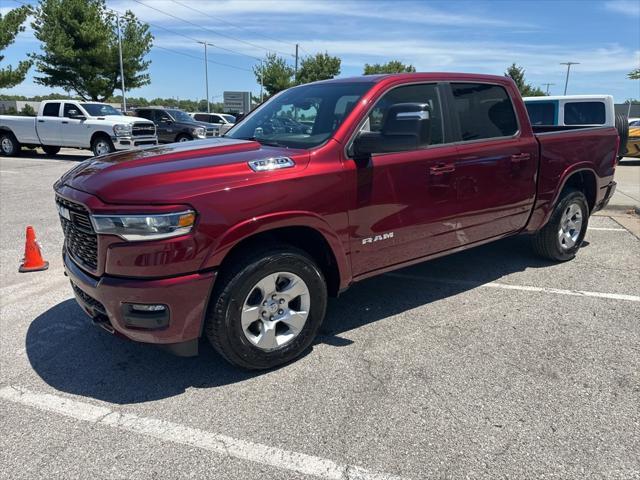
(496, 164)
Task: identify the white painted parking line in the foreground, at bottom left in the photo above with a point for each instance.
(176, 433)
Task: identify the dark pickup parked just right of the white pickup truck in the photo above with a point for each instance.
(174, 125)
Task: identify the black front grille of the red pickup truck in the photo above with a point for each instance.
(81, 240)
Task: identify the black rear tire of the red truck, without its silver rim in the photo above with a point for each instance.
(547, 242)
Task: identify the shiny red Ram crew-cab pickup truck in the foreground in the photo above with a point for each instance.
(241, 239)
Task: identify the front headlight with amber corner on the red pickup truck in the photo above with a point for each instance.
(145, 227)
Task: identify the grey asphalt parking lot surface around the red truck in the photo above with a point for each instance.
(490, 363)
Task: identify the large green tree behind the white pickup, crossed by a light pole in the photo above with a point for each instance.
(80, 48)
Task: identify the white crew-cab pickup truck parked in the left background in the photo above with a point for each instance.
(69, 123)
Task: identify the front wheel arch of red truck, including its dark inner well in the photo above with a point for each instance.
(306, 232)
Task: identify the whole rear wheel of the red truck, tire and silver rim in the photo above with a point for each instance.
(562, 236)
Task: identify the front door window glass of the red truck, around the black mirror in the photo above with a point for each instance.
(427, 93)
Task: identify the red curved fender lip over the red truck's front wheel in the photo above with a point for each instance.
(273, 221)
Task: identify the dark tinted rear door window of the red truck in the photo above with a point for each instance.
(484, 111)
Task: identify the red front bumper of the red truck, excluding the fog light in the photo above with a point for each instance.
(106, 298)
